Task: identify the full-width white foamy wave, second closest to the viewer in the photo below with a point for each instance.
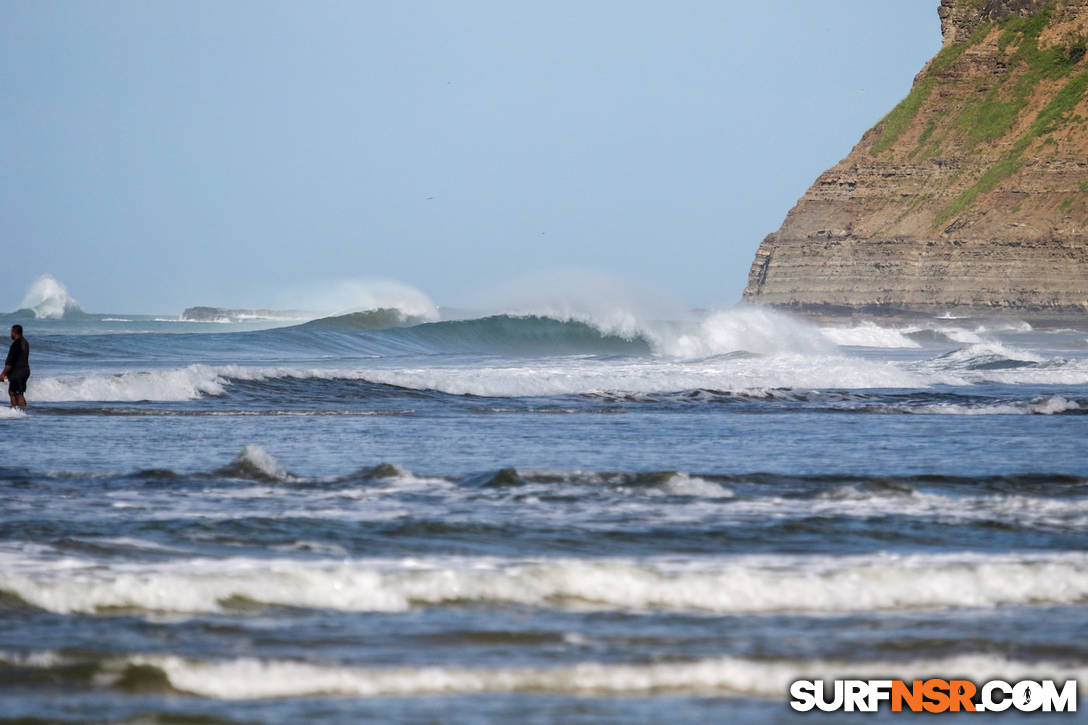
(737, 585)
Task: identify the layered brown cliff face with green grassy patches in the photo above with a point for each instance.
(971, 194)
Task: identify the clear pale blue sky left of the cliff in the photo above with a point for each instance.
(160, 155)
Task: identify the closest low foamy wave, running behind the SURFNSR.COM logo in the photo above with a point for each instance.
(251, 679)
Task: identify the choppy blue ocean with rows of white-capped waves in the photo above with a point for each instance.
(533, 519)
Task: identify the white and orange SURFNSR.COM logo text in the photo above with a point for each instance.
(934, 696)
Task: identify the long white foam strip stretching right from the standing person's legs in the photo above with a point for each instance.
(757, 376)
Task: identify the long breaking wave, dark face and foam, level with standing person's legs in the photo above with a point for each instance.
(832, 384)
